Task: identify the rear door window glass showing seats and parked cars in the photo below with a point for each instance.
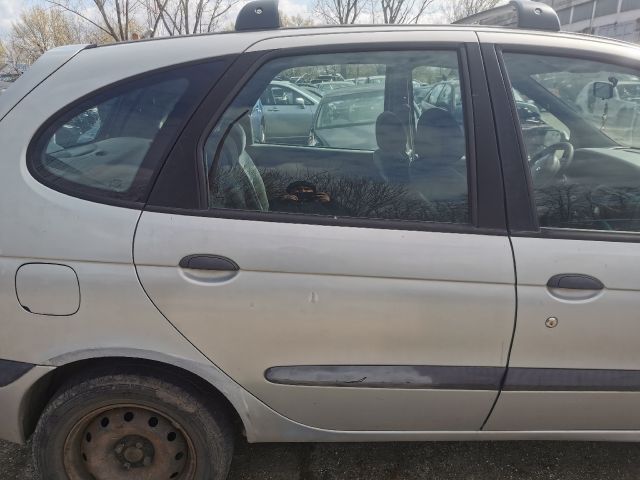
(328, 135)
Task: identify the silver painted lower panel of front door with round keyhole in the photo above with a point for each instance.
(596, 330)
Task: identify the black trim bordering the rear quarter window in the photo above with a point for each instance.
(159, 149)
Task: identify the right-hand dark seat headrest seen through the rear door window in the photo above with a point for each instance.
(439, 138)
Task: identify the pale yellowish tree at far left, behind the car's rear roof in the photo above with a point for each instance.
(38, 30)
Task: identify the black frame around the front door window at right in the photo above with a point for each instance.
(515, 207)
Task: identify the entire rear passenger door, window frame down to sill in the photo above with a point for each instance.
(340, 299)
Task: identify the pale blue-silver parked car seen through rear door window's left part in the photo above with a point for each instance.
(284, 113)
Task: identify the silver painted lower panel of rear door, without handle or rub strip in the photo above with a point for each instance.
(323, 295)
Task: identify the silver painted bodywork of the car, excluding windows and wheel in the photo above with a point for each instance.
(305, 294)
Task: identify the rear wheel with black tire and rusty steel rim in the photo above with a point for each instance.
(174, 430)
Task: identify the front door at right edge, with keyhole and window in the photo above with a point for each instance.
(574, 363)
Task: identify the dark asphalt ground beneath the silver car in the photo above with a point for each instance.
(410, 461)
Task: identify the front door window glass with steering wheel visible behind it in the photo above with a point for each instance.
(581, 127)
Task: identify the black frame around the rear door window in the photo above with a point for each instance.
(220, 98)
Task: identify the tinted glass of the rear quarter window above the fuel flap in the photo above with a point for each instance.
(105, 145)
